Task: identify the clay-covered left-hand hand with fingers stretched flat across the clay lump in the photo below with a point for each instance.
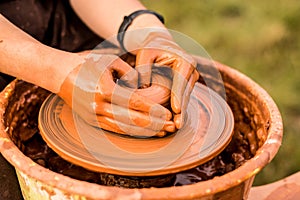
(92, 91)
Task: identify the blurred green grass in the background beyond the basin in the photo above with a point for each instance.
(259, 38)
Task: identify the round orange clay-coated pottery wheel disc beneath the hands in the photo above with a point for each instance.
(206, 132)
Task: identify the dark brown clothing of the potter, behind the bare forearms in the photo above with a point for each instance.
(54, 23)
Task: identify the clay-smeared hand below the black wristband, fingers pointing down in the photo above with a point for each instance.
(159, 49)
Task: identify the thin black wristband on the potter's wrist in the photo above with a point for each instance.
(127, 22)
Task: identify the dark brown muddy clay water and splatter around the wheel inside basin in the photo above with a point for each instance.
(21, 121)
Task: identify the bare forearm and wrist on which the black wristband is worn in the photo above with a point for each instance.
(104, 17)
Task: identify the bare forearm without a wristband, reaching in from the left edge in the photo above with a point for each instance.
(24, 57)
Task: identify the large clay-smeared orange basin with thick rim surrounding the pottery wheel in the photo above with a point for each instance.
(242, 93)
